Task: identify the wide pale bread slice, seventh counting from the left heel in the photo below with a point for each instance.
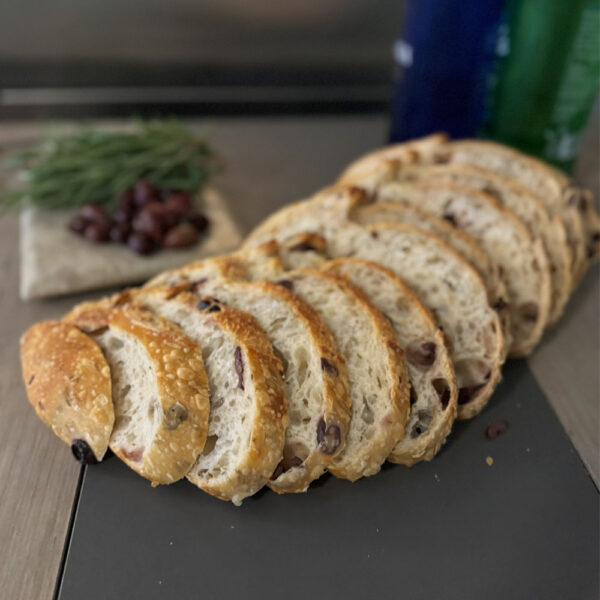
(445, 283)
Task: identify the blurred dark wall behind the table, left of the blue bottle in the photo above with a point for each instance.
(200, 56)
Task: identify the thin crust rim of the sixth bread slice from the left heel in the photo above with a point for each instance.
(408, 451)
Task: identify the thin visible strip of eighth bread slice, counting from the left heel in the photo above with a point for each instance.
(489, 271)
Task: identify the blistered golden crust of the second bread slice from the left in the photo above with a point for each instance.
(181, 380)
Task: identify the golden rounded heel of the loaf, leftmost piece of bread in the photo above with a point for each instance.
(68, 384)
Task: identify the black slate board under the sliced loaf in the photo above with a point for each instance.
(524, 528)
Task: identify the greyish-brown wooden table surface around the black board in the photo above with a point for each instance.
(270, 162)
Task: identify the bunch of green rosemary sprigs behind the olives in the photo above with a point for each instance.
(97, 166)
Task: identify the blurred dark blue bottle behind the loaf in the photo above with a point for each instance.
(444, 57)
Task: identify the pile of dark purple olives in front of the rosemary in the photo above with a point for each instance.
(145, 219)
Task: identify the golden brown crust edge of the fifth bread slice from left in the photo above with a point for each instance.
(374, 452)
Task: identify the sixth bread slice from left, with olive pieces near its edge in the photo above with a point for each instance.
(433, 389)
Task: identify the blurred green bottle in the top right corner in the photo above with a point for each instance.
(545, 81)
